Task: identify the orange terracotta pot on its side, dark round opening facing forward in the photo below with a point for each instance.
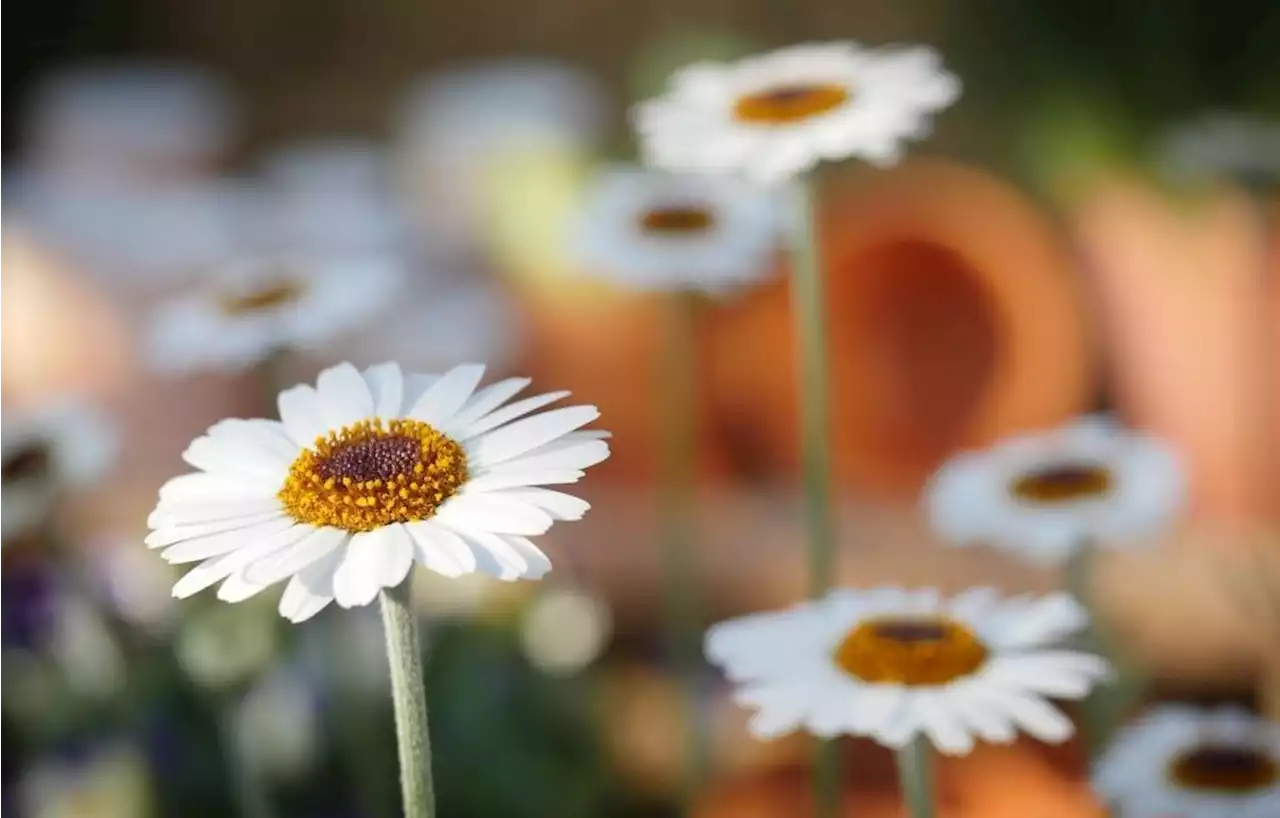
(954, 321)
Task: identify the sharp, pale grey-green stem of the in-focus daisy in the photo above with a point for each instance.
(409, 696)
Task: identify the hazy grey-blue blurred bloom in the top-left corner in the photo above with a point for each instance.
(145, 122)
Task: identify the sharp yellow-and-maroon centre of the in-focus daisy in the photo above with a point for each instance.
(369, 476)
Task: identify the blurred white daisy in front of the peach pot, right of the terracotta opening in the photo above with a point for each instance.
(1046, 495)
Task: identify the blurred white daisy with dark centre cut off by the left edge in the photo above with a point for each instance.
(47, 453)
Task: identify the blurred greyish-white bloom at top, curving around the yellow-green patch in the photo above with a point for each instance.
(454, 127)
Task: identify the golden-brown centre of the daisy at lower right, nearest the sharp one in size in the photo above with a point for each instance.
(911, 651)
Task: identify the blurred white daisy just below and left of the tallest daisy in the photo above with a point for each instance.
(651, 230)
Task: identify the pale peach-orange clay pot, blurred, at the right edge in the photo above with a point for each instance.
(1181, 293)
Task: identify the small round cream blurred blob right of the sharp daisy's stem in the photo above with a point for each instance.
(565, 630)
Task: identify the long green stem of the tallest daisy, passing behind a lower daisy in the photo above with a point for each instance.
(808, 303)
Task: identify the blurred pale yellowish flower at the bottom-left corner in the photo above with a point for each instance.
(112, 783)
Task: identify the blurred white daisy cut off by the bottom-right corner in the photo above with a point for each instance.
(1180, 762)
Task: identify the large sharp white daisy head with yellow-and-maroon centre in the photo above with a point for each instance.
(369, 473)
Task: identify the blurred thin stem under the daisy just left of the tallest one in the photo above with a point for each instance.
(679, 380)
